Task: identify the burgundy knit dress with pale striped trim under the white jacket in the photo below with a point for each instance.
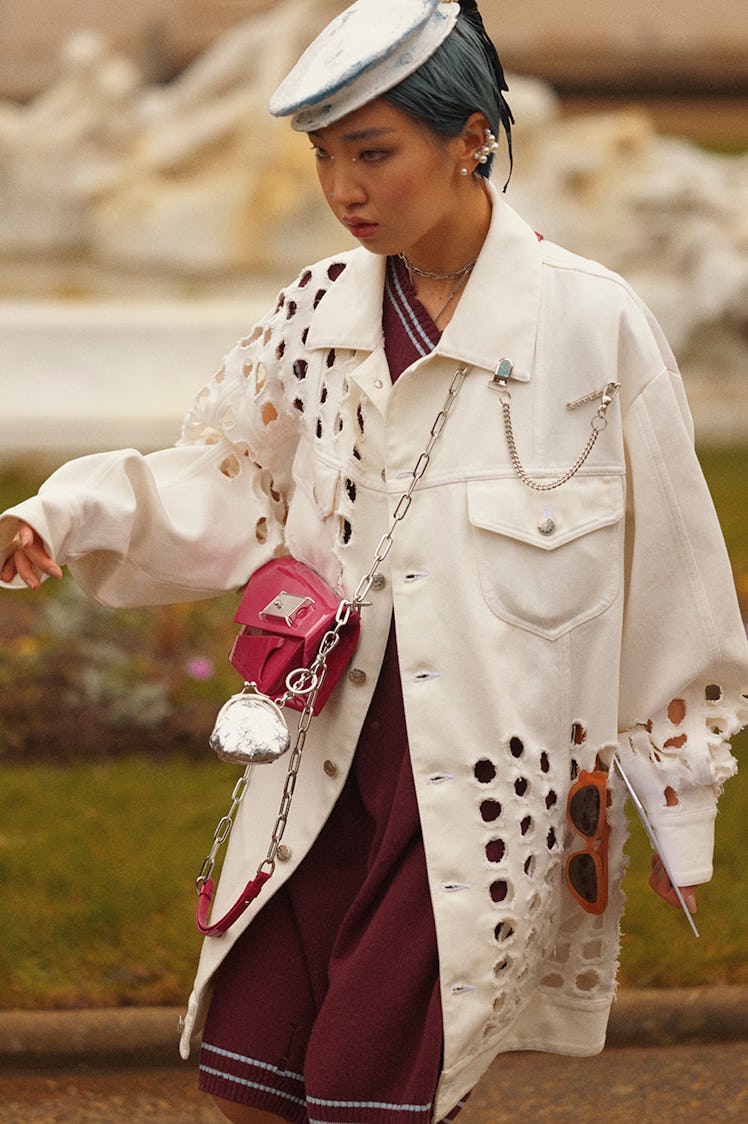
(328, 1009)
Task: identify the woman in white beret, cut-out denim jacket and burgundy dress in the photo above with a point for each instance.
(557, 592)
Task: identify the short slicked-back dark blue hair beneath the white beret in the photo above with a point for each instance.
(462, 78)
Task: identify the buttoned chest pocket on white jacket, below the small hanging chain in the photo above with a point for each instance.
(548, 561)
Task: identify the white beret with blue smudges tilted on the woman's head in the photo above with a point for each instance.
(363, 53)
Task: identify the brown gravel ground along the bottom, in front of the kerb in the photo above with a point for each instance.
(624, 1086)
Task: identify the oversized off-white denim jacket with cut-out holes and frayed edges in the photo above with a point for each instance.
(537, 630)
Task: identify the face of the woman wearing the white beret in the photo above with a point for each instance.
(392, 183)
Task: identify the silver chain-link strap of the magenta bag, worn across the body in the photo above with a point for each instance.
(307, 683)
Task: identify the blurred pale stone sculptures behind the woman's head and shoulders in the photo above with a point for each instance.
(196, 182)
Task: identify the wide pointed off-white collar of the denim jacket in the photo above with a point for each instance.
(498, 315)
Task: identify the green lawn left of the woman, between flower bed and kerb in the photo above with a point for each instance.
(98, 863)
